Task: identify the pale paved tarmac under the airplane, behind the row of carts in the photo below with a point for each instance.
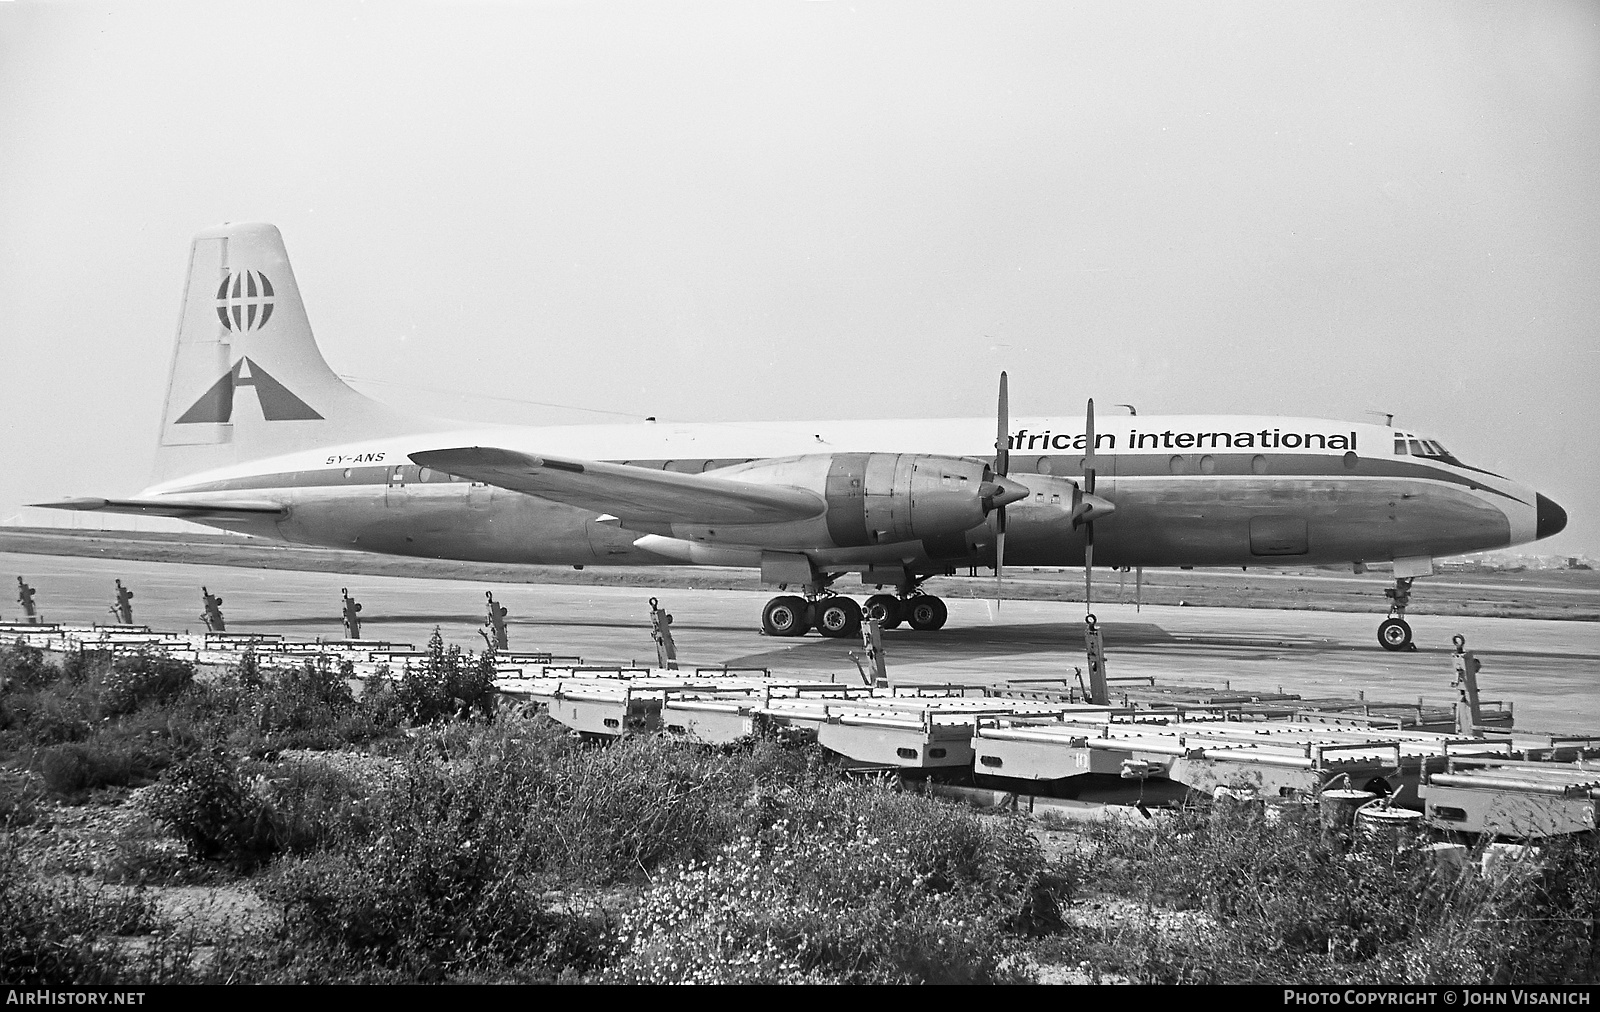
(1551, 670)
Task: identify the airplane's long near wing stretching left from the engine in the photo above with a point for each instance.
(623, 491)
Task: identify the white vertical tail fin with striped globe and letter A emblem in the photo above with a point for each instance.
(247, 380)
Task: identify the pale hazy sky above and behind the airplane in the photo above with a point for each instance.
(790, 211)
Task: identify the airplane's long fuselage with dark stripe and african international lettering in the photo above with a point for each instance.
(1188, 491)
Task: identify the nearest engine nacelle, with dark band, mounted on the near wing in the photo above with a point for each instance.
(878, 499)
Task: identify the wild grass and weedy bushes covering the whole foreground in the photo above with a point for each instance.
(479, 846)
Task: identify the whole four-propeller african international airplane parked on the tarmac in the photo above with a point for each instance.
(260, 436)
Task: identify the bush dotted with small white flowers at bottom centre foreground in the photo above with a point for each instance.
(863, 894)
